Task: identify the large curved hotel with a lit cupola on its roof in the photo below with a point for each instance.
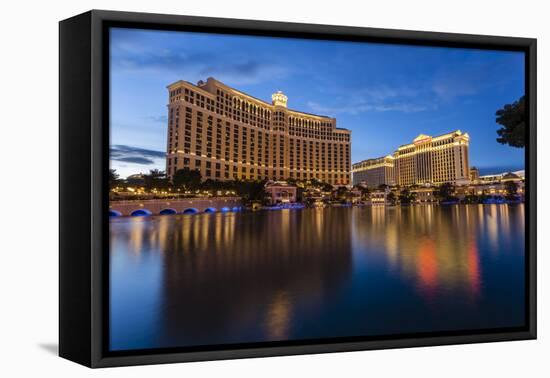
(227, 134)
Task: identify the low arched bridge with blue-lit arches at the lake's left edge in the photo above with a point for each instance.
(174, 206)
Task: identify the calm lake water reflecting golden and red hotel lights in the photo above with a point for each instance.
(190, 280)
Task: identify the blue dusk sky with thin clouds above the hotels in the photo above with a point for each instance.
(386, 94)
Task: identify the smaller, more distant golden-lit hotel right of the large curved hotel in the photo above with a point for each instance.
(427, 160)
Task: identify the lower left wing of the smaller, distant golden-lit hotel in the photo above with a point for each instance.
(374, 172)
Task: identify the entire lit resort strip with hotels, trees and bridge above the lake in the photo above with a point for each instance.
(228, 151)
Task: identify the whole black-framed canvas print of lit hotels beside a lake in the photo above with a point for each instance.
(234, 188)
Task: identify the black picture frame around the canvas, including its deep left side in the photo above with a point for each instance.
(84, 162)
